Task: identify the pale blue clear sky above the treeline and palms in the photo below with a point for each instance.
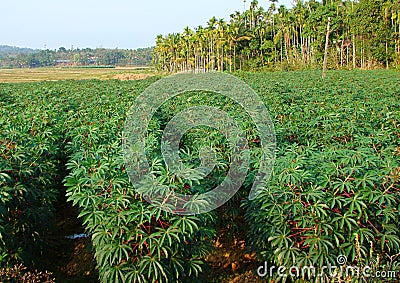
(124, 24)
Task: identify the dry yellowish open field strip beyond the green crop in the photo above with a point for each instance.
(55, 74)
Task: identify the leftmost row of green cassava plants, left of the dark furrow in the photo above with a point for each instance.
(30, 145)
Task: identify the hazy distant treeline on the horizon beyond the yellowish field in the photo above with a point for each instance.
(14, 57)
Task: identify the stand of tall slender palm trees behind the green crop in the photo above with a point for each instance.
(363, 34)
